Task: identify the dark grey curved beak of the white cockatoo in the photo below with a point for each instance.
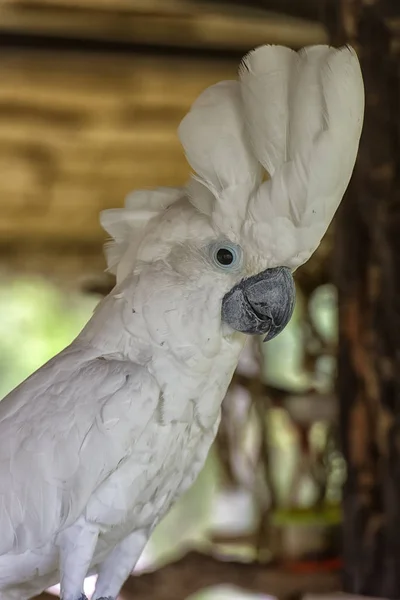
(262, 304)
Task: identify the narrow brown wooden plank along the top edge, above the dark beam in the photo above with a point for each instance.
(206, 27)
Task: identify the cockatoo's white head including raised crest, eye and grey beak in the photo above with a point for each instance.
(272, 155)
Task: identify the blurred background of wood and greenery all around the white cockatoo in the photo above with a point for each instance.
(91, 93)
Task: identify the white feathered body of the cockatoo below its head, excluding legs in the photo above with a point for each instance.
(141, 434)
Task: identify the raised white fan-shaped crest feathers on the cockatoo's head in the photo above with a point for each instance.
(272, 155)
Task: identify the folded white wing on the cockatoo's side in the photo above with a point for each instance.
(56, 449)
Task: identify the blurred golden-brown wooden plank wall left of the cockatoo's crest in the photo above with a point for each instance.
(77, 132)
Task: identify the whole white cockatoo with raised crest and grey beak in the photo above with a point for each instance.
(98, 444)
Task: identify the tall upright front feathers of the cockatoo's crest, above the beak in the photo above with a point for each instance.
(322, 126)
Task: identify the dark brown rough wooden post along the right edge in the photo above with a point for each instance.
(367, 256)
